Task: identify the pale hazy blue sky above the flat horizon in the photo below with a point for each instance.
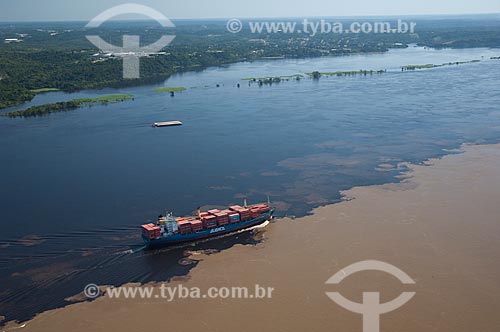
(43, 10)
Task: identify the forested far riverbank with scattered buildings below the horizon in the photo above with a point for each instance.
(57, 54)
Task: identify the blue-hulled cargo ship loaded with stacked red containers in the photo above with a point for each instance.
(170, 230)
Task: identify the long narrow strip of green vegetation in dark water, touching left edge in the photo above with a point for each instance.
(67, 105)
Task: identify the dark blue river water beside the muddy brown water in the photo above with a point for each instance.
(74, 186)
